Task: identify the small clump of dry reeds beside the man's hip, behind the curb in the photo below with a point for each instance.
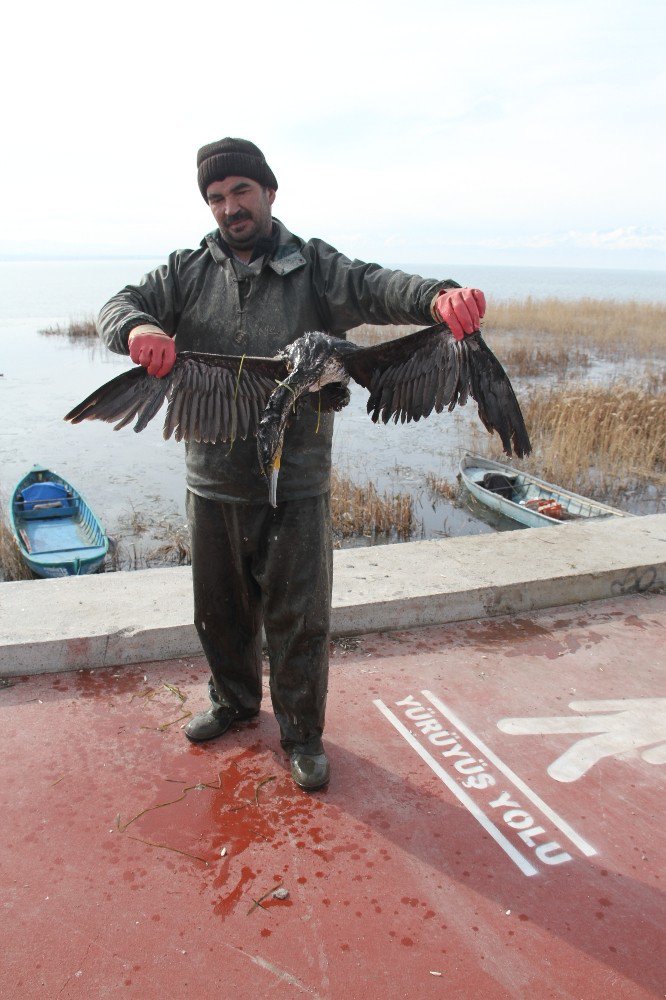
(360, 511)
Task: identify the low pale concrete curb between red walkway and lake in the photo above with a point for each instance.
(119, 618)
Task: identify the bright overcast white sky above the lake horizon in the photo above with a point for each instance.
(476, 132)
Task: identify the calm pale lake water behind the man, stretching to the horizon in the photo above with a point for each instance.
(42, 377)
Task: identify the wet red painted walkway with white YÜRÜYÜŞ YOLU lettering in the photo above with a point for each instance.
(493, 828)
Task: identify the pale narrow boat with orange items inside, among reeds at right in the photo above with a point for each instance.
(525, 498)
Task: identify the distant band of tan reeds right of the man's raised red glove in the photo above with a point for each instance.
(613, 328)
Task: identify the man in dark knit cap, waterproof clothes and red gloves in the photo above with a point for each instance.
(252, 287)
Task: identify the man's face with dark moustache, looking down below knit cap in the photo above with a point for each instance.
(242, 210)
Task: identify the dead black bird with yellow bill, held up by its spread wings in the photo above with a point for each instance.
(214, 398)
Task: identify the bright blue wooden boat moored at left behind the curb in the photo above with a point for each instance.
(55, 529)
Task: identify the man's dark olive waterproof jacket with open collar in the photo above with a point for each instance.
(211, 302)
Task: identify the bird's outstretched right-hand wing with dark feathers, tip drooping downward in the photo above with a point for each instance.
(409, 377)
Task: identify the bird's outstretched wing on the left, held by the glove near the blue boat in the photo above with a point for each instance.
(211, 397)
